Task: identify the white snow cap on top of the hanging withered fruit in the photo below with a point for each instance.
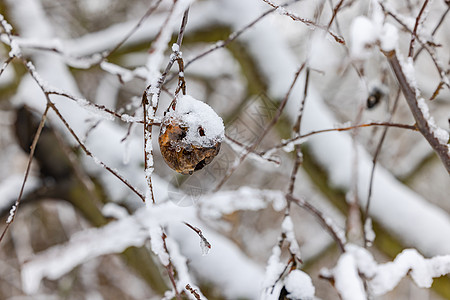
(204, 127)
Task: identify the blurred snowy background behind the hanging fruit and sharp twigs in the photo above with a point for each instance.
(67, 192)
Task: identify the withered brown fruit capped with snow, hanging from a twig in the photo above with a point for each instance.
(191, 135)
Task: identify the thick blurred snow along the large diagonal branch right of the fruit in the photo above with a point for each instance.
(431, 222)
